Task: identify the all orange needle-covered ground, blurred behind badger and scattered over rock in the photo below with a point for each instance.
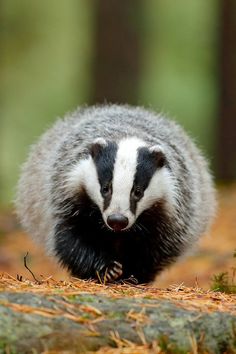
(186, 284)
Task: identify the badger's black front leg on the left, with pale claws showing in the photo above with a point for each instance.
(83, 258)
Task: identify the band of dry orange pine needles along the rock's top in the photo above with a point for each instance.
(195, 299)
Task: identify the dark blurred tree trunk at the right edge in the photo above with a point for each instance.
(227, 122)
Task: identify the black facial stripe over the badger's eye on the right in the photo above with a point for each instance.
(146, 167)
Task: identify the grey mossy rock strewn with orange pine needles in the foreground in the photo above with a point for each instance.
(79, 316)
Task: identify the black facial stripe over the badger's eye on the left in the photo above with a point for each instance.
(104, 162)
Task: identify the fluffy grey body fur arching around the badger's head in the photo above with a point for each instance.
(42, 189)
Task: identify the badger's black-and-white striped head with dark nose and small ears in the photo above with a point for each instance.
(124, 179)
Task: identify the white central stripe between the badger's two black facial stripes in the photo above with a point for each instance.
(123, 175)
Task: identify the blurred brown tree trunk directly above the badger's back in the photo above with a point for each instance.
(117, 51)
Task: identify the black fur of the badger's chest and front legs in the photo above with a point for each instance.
(84, 243)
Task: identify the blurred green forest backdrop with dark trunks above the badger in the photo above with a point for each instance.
(170, 56)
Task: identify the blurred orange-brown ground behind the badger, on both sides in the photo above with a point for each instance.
(214, 254)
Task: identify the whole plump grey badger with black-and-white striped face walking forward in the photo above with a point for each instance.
(115, 192)
